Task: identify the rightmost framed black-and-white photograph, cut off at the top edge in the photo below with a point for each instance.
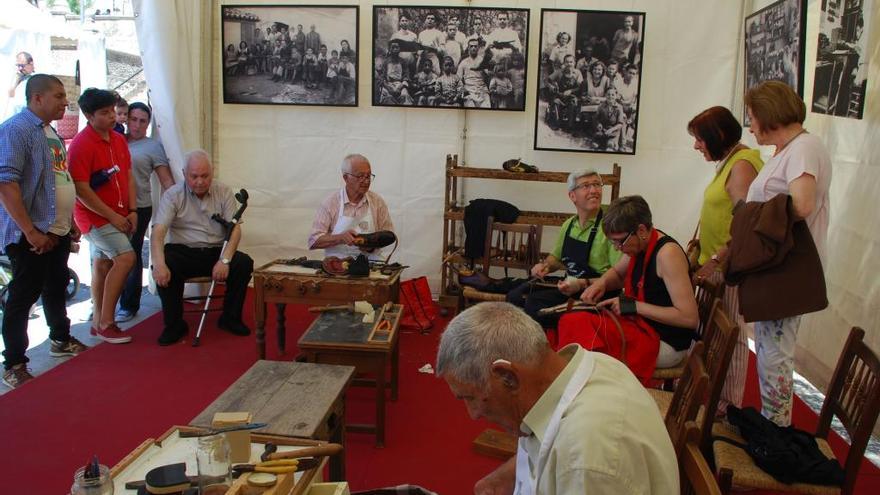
(841, 75)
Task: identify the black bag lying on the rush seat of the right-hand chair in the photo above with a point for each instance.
(788, 454)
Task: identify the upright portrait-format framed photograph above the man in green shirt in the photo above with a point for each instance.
(589, 81)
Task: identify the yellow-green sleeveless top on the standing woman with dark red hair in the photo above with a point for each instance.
(717, 211)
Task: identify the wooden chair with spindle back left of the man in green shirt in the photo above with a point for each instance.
(507, 246)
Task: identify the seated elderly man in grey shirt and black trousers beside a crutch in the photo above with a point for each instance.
(194, 247)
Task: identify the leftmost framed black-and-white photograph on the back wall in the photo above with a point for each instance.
(290, 54)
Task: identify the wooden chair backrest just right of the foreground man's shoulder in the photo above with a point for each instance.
(687, 399)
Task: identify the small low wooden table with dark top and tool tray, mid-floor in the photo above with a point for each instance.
(340, 337)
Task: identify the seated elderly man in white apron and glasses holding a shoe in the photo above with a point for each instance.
(352, 210)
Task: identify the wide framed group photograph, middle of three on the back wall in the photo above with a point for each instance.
(439, 57)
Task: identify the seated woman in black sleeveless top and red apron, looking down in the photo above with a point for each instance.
(657, 310)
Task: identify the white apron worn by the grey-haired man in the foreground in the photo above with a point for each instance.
(525, 483)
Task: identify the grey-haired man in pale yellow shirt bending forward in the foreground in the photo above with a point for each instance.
(585, 424)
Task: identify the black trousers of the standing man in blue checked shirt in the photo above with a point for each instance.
(35, 275)
